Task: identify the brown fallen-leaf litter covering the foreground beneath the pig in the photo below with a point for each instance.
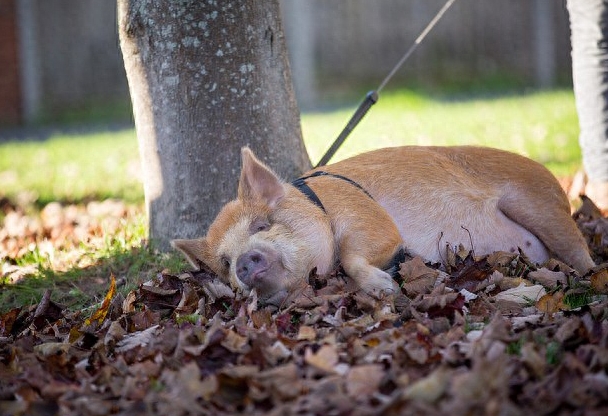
(492, 335)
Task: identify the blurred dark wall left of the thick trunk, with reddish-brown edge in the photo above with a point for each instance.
(58, 55)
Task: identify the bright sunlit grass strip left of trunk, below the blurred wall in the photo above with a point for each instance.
(72, 168)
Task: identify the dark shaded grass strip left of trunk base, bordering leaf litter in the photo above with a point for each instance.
(84, 287)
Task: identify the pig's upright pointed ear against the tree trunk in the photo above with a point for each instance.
(258, 181)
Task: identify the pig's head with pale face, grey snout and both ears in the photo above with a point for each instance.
(268, 239)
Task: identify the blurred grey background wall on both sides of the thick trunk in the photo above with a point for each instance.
(59, 56)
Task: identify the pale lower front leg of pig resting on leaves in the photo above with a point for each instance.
(369, 278)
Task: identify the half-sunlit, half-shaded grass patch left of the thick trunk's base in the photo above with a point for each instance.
(78, 275)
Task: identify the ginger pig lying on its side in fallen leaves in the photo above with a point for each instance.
(363, 211)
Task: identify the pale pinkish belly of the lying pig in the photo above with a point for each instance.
(485, 231)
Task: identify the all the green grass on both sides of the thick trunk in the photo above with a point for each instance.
(74, 169)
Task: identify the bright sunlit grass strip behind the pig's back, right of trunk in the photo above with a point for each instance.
(541, 125)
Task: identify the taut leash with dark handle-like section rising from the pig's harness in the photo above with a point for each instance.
(372, 97)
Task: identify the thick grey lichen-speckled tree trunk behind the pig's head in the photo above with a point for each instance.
(206, 78)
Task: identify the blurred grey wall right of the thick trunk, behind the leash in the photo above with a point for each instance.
(338, 45)
